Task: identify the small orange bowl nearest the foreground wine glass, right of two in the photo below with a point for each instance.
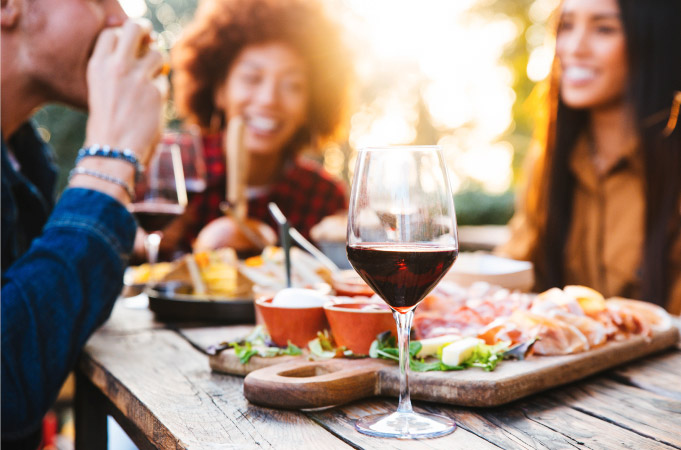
(355, 324)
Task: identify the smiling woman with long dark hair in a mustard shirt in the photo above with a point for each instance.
(602, 206)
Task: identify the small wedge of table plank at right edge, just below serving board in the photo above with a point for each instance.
(660, 374)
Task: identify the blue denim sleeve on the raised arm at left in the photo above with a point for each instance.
(53, 299)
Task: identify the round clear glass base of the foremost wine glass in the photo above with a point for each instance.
(404, 425)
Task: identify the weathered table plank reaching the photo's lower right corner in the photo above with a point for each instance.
(629, 407)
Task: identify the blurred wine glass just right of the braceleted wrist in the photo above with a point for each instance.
(161, 195)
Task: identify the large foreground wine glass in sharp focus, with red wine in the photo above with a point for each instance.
(402, 239)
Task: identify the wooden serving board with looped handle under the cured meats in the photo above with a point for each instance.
(290, 382)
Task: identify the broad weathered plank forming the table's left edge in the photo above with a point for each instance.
(166, 389)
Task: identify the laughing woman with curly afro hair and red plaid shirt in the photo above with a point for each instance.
(279, 67)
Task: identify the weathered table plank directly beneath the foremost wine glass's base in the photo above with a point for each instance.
(341, 421)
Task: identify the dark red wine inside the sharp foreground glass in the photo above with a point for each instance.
(401, 274)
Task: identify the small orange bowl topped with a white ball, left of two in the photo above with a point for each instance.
(298, 325)
